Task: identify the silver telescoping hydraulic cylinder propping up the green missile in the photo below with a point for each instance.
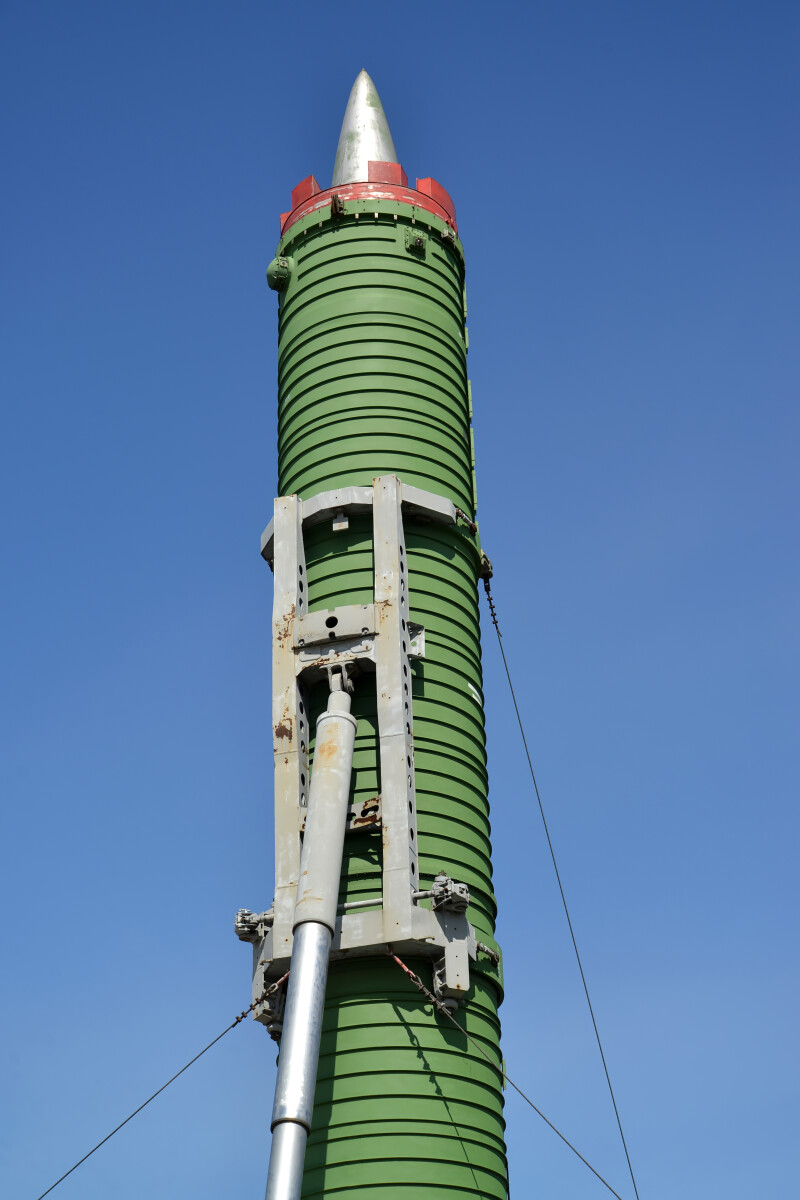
(321, 868)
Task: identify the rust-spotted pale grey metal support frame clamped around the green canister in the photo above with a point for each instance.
(380, 639)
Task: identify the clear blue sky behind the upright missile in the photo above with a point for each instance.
(627, 182)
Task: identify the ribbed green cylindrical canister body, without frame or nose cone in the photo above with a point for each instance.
(372, 380)
